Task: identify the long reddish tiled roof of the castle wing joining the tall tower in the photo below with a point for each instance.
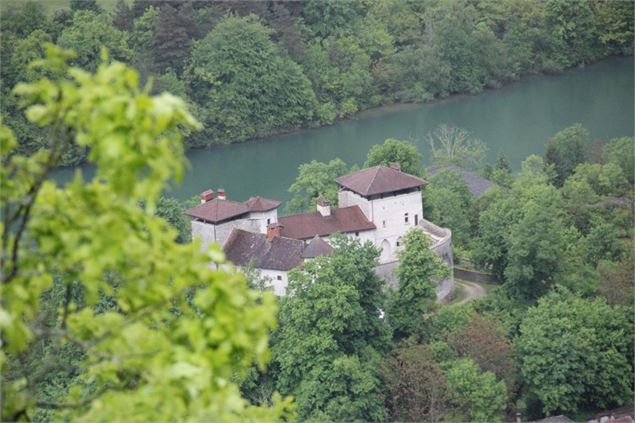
(305, 226)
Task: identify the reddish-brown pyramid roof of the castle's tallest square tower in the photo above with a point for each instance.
(379, 180)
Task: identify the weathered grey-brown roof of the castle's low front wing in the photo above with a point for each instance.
(243, 247)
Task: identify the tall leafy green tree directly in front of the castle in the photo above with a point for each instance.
(332, 318)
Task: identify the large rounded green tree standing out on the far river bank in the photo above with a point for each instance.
(245, 85)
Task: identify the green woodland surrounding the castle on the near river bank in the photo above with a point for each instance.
(555, 337)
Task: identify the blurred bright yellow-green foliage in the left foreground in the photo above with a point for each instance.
(104, 316)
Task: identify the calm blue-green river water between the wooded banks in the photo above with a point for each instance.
(516, 120)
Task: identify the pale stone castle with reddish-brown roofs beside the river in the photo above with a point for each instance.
(379, 204)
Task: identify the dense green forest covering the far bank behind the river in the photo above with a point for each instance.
(251, 69)
